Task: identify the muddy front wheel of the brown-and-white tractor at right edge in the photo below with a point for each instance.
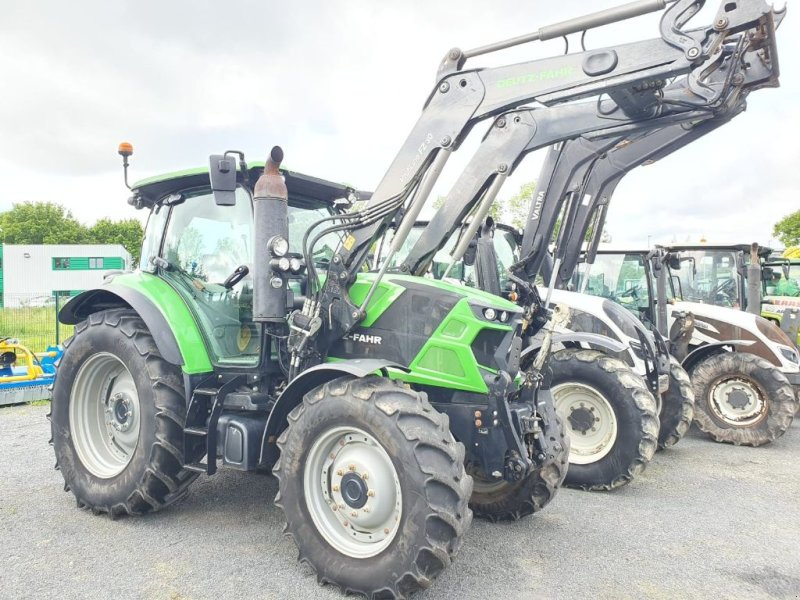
(742, 399)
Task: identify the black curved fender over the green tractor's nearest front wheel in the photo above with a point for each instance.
(304, 383)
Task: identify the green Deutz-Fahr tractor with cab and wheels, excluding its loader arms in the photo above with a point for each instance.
(172, 363)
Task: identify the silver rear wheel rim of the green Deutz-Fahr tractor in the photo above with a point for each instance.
(104, 415)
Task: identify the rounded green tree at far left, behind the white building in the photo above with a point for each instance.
(41, 223)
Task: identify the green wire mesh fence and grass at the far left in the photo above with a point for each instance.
(32, 320)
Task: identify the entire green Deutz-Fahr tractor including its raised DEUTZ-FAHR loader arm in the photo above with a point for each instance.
(251, 335)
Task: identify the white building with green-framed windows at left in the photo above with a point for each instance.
(33, 275)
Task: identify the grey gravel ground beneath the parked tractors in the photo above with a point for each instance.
(704, 520)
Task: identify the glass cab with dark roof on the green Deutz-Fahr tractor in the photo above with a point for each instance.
(204, 250)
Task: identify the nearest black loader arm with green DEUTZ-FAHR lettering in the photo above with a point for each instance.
(461, 98)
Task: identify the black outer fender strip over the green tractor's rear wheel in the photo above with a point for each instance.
(119, 296)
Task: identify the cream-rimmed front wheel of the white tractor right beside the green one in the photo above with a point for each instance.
(610, 416)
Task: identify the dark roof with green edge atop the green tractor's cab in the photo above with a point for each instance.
(152, 189)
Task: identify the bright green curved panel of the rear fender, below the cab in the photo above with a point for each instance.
(183, 324)
